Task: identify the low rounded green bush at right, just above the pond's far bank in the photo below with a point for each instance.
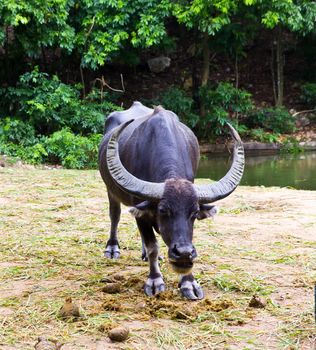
(277, 120)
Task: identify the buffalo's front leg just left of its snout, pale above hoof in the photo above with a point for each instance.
(154, 283)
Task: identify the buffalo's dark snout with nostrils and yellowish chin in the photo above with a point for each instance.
(181, 257)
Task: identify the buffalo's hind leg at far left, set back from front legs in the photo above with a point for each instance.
(112, 250)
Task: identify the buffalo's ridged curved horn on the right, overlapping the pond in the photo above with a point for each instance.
(225, 186)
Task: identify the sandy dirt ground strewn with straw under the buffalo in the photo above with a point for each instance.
(54, 224)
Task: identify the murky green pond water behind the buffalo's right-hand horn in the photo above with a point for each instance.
(297, 171)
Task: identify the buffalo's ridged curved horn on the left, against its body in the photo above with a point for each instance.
(126, 181)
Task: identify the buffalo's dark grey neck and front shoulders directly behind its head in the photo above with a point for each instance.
(168, 150)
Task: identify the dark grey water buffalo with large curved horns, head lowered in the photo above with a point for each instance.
(148, 160)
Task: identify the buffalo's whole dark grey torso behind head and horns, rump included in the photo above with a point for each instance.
(156, 146)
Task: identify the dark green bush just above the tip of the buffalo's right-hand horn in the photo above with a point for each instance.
(222, 103)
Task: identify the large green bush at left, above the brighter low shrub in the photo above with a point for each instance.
(49, 105)
